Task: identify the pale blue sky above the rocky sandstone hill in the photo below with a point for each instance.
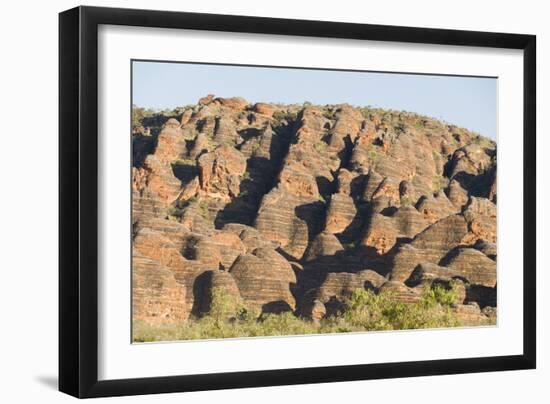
(469, 102)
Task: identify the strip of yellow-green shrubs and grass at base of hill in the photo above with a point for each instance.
(365, 311)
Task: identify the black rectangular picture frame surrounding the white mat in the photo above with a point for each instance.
(78, 201)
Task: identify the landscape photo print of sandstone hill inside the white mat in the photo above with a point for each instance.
(276, 201)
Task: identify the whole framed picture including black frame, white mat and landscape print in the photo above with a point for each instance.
(251, 201)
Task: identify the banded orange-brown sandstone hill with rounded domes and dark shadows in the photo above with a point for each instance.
(292, 207)
